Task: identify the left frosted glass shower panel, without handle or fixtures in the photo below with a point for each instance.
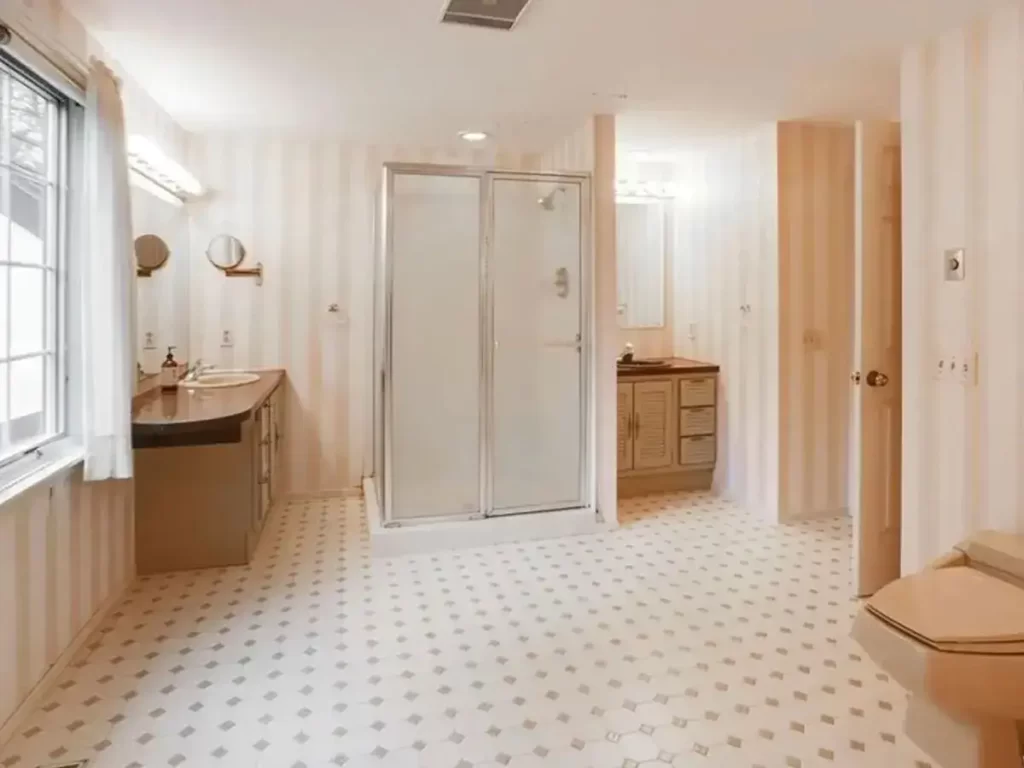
(434, 451)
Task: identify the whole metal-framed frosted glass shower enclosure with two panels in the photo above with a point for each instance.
(483, 346)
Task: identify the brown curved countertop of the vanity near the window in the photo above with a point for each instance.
(191, 413)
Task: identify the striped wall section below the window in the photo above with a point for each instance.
(67, 550)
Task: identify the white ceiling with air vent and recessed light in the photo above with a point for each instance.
(387, 71)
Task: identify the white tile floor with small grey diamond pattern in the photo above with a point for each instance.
(696, 636)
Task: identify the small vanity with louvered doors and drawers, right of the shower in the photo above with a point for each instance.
(667, 431)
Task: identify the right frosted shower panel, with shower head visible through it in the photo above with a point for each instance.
(538, 401)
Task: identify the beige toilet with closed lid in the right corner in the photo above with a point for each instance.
(954, 636)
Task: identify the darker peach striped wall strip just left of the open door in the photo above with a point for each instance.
(817, 292)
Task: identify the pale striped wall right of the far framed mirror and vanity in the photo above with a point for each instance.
(727, 243)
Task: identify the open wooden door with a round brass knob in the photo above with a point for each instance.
(877, 378)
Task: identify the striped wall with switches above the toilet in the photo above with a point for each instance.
(963, 114)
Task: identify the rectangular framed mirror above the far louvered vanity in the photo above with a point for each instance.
(643, 240)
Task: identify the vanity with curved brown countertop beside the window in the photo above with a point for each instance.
(207, 476)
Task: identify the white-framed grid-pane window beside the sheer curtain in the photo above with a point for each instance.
(33, 141)
